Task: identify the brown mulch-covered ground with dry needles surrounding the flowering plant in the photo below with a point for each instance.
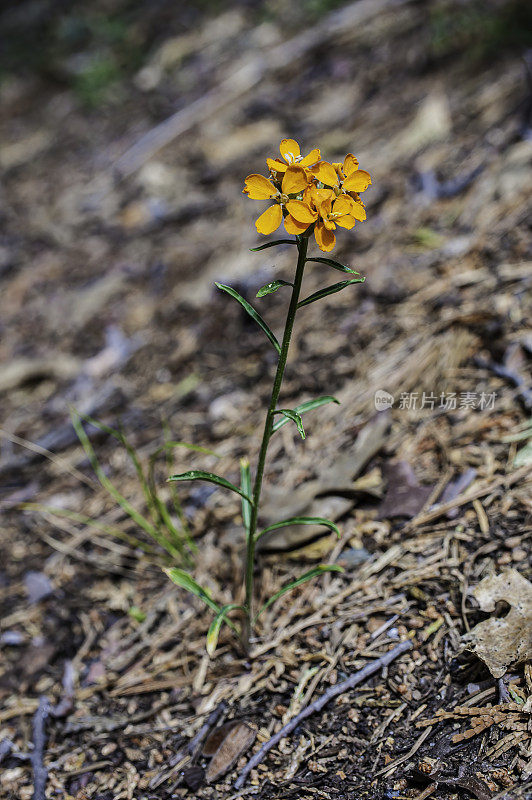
(108, 254)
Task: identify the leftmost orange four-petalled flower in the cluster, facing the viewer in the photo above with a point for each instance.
(298, 215)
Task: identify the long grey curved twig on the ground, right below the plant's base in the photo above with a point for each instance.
(318, 704)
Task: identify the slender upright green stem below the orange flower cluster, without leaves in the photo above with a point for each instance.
(302, 245)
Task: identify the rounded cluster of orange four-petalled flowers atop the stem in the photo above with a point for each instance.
(310, 194)
